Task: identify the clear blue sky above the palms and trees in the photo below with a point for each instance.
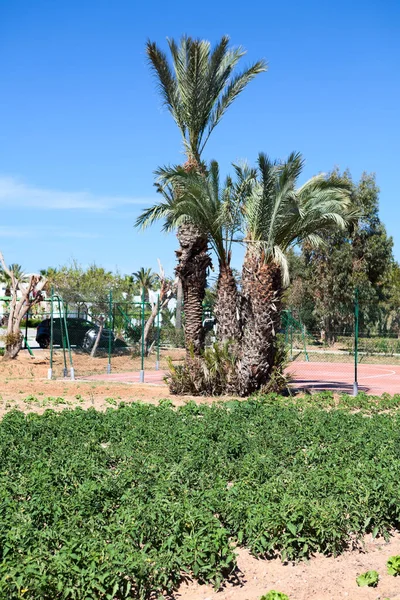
(82, 128)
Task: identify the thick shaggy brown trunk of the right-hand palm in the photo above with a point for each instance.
(260, 311)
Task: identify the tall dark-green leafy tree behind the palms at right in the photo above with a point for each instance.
(361, 257)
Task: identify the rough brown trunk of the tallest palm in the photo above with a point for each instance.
(193, 262)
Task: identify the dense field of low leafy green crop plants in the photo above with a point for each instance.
(122, 504)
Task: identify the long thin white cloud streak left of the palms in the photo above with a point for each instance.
(17, 194)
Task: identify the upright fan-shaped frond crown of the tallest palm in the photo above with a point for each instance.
(199, 86)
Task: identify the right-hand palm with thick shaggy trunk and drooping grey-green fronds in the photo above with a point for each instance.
(278, 215)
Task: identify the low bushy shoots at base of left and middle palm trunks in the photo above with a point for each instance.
(211, 374)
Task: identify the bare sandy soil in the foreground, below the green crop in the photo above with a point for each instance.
(320, 578)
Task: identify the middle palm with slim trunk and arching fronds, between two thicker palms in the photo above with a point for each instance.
(215, 212)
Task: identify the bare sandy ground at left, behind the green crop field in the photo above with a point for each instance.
(24, 384)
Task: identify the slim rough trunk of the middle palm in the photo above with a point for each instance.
(227, 306)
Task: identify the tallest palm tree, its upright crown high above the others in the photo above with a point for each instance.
(197, 89)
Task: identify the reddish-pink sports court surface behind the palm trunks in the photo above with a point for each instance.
(317, 376)
